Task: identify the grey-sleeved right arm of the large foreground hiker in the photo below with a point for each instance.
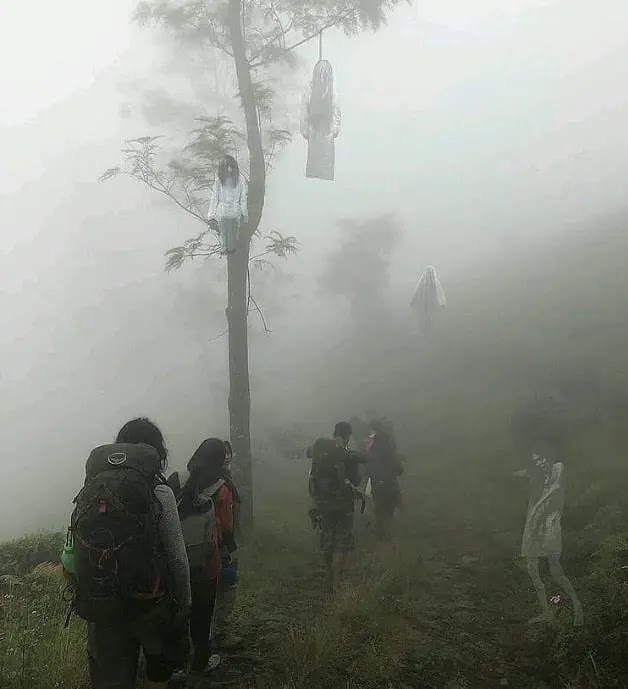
(174, 546)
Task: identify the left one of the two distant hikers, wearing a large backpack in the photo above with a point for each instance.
(333, 485)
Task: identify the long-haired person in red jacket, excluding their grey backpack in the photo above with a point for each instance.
(205, 479)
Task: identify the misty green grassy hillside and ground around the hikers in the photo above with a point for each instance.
(445, 604)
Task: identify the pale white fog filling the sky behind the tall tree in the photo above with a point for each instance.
(481, 133)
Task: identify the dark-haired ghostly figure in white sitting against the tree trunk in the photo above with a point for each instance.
(228, 205)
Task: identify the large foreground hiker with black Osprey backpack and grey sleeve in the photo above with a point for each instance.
(128, 567)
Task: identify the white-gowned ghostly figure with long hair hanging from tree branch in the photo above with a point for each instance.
(320, 122)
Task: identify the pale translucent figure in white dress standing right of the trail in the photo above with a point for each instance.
(542, 535)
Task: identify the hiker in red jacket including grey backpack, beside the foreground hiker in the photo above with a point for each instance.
(205, 503)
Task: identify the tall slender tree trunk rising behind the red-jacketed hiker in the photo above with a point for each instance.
(237, 271)
